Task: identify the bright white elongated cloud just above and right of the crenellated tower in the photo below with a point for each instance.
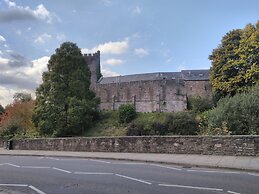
(110, 47)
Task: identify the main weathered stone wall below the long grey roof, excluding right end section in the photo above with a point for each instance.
(147, 96)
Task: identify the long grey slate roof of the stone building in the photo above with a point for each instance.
(186, 75)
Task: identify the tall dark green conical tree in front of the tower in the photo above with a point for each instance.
(64, 104)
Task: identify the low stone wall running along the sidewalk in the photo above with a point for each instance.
(207, 145)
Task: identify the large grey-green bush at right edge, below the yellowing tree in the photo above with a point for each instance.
(237, 115)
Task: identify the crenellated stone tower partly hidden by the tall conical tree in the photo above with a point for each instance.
(93, 62)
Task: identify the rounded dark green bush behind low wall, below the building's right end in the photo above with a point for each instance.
(182, 123)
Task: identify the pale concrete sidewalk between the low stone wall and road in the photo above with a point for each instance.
(211, 161)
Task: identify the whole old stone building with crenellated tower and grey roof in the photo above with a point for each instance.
(149, 92)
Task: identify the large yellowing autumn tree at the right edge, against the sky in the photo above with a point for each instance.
(235, 62)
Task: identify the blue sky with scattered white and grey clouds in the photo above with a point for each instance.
(133, 36)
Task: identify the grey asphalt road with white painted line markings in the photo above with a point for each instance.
(45, 175)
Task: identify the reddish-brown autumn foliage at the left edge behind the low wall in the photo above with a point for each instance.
(17, 120)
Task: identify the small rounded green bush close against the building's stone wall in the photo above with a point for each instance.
(127, 113)
